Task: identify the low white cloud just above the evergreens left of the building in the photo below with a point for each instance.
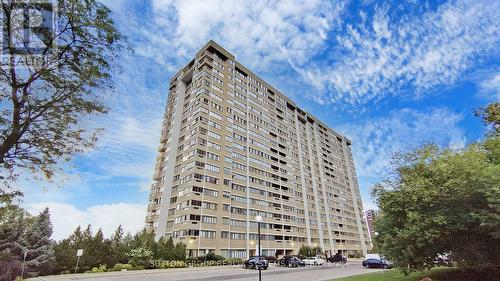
(66, 217)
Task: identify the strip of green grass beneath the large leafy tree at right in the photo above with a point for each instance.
(436, 274)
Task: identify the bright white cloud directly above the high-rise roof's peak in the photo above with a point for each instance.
(260, 32)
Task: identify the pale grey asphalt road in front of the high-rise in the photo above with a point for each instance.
(309, 273)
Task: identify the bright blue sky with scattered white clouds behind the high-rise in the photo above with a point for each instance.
(388, 74)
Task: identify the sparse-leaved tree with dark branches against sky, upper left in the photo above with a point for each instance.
(42, 105)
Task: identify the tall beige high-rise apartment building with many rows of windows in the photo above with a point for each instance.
(232, 148)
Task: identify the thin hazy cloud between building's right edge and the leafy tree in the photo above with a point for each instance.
(375, 140)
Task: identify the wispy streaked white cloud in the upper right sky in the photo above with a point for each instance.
(384, 56)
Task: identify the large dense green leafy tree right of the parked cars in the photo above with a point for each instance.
(441, 201)
